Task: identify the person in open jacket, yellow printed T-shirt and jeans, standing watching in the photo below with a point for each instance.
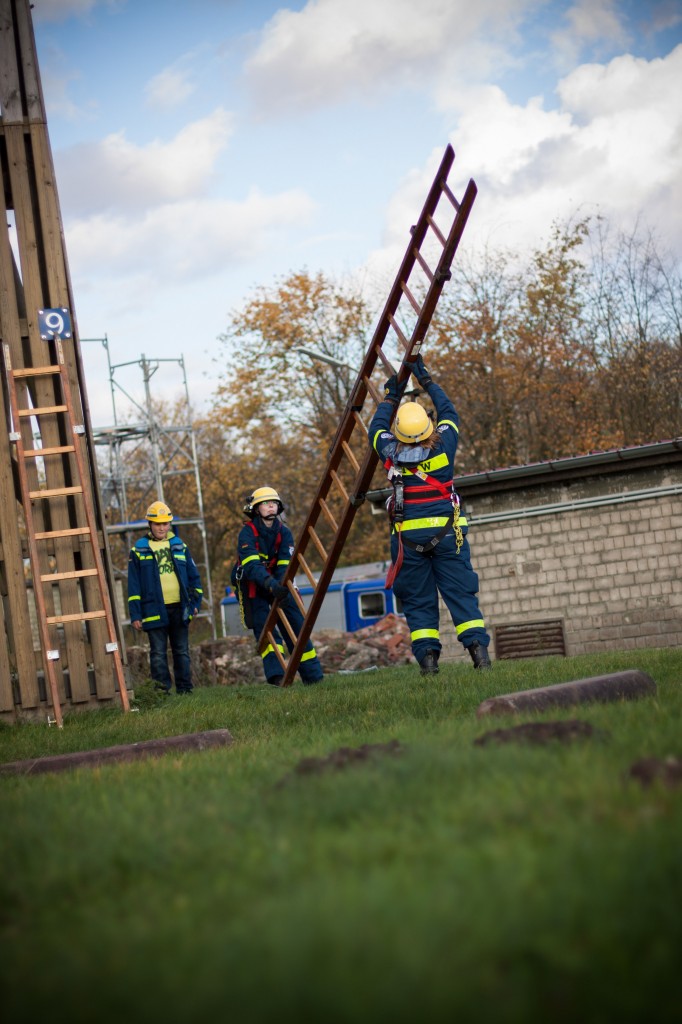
(164, 595)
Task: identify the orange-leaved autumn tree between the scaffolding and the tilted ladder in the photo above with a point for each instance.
(277, 409)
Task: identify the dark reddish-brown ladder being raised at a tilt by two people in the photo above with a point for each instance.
(440, 228)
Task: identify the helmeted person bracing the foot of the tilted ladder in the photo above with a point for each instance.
(265, 547)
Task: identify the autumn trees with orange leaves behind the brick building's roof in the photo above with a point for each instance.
(574, 350)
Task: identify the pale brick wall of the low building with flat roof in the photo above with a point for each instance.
(613, 574)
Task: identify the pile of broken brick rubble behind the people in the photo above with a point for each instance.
(235, 661)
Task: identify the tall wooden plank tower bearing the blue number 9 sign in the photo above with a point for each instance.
(62, 644)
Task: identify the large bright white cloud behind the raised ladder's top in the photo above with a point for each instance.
(613, 148)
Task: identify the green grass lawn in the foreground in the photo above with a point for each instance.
(443, 881)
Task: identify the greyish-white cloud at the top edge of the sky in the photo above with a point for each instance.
(336, 50)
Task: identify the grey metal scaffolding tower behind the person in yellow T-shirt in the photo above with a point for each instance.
(144, 458)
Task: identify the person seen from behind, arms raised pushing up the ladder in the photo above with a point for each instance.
(430, 547)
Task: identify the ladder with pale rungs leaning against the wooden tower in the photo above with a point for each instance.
(91, 550)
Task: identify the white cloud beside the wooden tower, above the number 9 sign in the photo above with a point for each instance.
(116, 175)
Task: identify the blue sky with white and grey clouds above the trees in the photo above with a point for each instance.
(205, 149)
